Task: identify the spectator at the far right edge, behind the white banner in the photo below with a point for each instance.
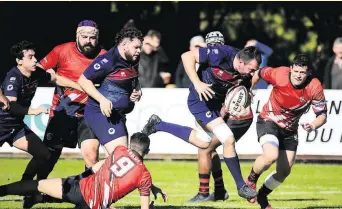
(333, 69)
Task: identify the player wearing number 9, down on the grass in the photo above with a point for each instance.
(105, 183)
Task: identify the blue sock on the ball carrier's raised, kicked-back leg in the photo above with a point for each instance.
(179, 131)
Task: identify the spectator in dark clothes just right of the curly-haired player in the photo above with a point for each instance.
(153, 62)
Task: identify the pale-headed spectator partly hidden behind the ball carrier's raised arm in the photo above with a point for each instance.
(182, 79)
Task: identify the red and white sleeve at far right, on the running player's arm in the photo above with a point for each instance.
(318, 102)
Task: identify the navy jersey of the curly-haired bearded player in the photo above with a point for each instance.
(117, 77)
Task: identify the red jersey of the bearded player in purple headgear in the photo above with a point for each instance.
(69, 63)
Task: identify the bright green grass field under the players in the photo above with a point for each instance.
(310, 186)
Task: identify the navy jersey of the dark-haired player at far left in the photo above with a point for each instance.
(23, 88)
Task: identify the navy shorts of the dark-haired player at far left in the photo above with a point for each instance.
(13, 135)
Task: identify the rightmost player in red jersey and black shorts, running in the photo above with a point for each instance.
(294, 91)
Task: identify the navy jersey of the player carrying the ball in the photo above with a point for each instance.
(217, 69)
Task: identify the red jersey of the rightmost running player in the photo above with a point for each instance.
(286, 103)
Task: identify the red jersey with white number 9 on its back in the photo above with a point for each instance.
(121, 173)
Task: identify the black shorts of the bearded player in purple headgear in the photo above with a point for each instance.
(65, 131)
